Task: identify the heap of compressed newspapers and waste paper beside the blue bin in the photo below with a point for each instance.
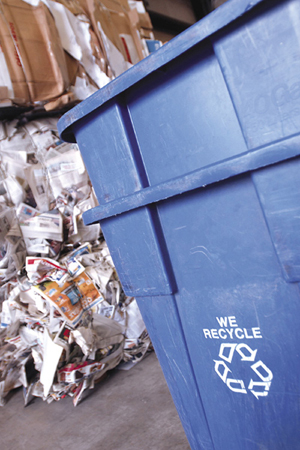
(65, 320)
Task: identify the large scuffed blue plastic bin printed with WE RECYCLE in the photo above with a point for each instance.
(194, 157)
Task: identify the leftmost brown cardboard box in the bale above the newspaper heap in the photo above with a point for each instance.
(33, 52)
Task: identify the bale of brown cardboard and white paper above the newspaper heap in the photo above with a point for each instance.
(55, 52)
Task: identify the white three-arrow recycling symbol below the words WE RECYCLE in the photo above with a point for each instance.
(257, 388)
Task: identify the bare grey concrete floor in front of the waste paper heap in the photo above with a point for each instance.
(129, 410)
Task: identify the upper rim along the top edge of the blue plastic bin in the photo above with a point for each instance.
(207, 26)
